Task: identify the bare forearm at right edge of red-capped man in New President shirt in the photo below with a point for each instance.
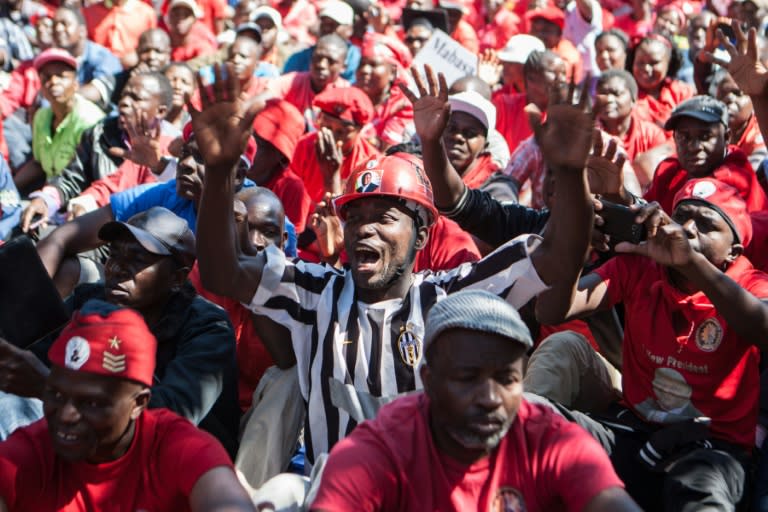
(746, 314)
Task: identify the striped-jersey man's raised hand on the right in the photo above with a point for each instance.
(565, 139)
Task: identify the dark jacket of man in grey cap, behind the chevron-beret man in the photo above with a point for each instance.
(196, 372)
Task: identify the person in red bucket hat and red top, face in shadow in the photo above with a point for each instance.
(277, 129)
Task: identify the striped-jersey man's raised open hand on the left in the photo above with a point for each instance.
(225, 122)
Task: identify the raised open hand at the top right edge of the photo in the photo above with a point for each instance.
(745, 67)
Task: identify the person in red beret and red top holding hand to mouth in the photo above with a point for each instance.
(324, 159)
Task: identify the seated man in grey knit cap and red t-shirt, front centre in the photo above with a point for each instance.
(470, 440)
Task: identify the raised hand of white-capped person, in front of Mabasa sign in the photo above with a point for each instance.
(431, 109)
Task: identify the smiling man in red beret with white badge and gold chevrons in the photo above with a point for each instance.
(99, 448)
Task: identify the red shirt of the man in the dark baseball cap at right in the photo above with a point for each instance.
(734, 171)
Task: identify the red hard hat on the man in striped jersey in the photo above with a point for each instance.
(399, 176)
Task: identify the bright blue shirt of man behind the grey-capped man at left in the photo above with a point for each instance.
(127, 203)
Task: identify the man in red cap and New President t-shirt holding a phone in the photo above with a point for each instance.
(696, 320)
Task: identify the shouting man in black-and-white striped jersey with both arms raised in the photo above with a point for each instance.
(356, 333)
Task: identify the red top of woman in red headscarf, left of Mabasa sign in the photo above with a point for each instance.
(392, 120)
